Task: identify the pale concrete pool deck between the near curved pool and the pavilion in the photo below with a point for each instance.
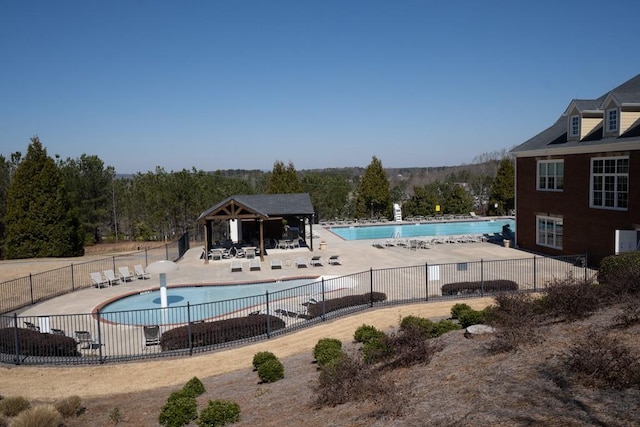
(355, 256)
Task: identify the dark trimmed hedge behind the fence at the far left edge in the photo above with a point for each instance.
(34, 343)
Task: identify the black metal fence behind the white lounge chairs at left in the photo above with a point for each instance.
(29, 290)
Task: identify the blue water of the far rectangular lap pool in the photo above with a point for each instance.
(455, 228)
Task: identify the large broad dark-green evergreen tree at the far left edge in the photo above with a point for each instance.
(39, 219)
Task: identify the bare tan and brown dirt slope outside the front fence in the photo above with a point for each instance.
(463, 385)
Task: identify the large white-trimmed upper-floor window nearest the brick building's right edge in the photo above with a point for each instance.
(610, 183)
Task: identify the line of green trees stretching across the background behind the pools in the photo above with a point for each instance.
(54, 207)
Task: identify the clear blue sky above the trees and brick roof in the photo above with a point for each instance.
(241, 84)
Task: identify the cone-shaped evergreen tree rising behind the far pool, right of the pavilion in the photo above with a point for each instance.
(374, 197)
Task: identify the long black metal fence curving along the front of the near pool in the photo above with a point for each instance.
(107, 337)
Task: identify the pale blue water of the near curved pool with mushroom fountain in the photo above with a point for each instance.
(144, 308)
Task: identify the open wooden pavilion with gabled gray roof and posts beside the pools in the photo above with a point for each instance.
(260, 208)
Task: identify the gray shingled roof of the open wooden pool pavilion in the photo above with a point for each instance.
(269, 204)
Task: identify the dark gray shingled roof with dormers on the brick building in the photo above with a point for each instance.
(555, 136)
